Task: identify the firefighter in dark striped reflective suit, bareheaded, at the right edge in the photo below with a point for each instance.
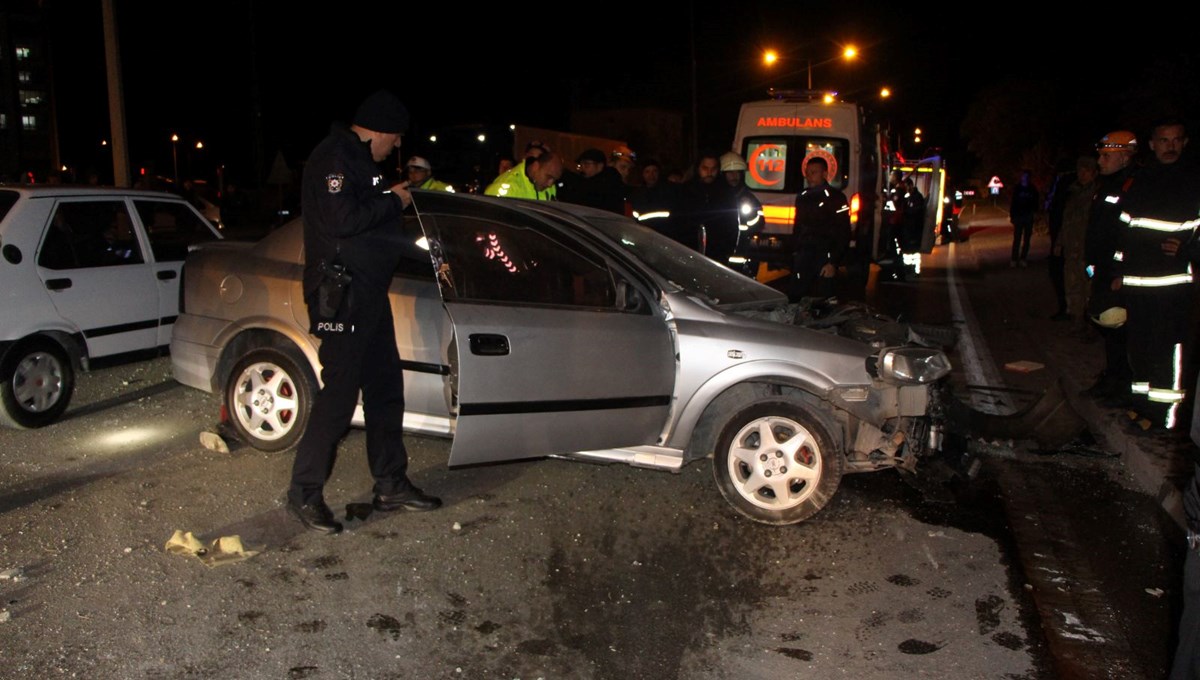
(1160, 214)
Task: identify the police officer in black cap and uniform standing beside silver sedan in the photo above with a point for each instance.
(349, 210)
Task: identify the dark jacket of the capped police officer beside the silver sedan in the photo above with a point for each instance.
(349, 208)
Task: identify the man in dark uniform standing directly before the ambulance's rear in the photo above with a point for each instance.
(821, 233)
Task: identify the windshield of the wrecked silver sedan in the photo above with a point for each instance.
(686, 268)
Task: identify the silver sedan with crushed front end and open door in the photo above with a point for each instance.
(539, 329)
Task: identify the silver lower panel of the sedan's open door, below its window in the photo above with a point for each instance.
(571, 381)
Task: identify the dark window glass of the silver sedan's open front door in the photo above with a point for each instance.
(502, 262)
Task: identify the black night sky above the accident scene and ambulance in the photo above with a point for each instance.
(292, 70)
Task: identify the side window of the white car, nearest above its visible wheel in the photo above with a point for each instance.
(91, 234)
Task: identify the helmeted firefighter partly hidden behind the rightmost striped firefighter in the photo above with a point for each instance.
(1115, 154)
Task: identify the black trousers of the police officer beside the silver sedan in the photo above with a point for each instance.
(365, 360)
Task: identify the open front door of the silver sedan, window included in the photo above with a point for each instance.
(554, 350)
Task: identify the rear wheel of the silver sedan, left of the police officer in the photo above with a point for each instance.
(269, 398)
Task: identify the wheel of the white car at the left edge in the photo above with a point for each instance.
(39, 381)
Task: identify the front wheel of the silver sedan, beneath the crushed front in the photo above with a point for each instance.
(776, 464)
